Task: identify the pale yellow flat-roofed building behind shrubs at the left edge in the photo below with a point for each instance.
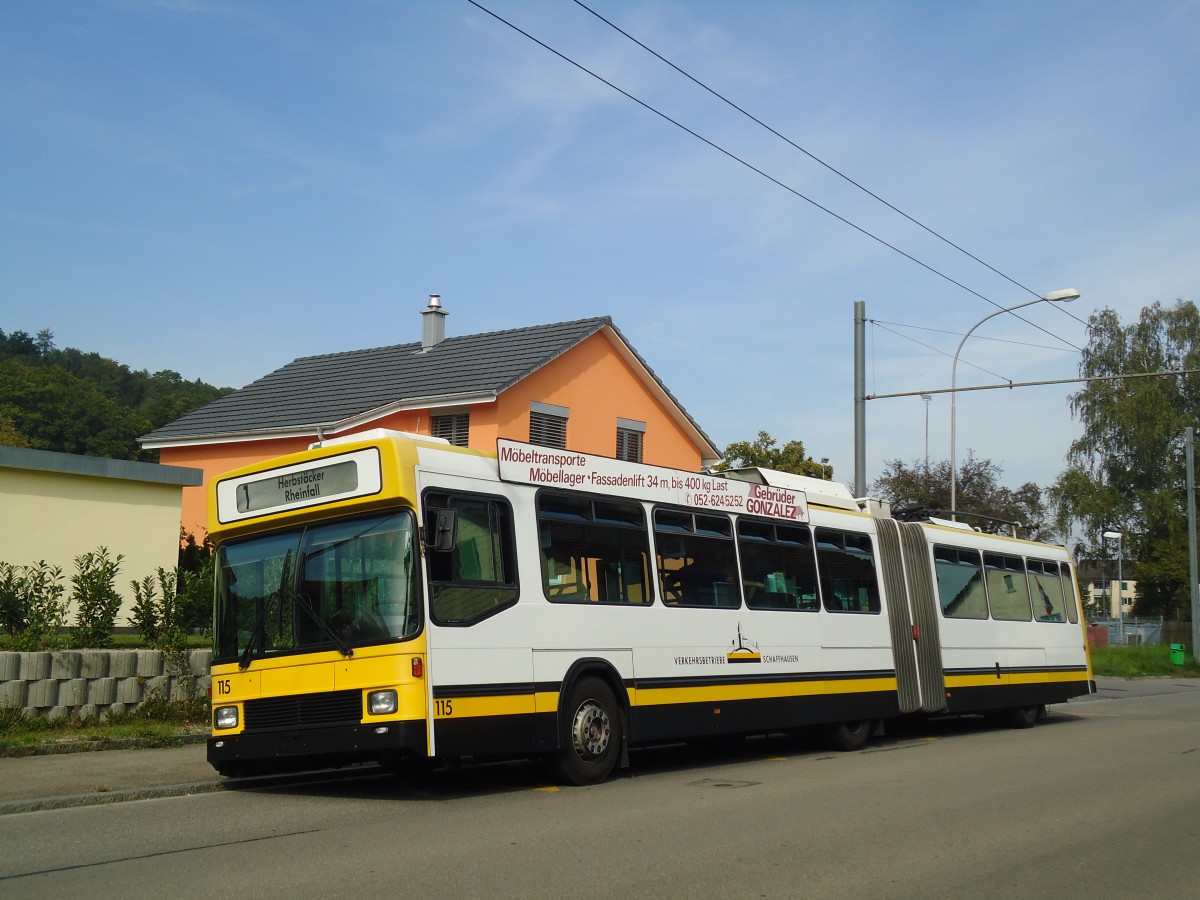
(57, 507)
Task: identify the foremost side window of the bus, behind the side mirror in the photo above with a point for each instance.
(478, 578)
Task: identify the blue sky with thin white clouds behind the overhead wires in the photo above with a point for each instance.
(218, 188)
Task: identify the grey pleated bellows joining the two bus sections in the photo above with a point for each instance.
(913, 615)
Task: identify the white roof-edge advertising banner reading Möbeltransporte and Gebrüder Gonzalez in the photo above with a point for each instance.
(527, 464)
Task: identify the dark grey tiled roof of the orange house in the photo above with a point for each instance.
(329, 389)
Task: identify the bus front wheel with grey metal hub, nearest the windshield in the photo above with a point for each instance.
(593, 733)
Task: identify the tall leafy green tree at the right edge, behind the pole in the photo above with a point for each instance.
(1126, 472)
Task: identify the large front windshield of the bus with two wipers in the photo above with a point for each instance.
(332, 585)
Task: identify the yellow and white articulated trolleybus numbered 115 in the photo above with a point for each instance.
(393, 598)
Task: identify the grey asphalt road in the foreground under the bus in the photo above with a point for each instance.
(1100, 801)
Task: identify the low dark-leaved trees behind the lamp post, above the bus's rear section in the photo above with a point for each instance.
(979, 491)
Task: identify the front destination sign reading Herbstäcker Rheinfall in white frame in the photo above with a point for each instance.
(339, 478)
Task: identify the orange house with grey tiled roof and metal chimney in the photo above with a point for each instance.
(577, 386)
